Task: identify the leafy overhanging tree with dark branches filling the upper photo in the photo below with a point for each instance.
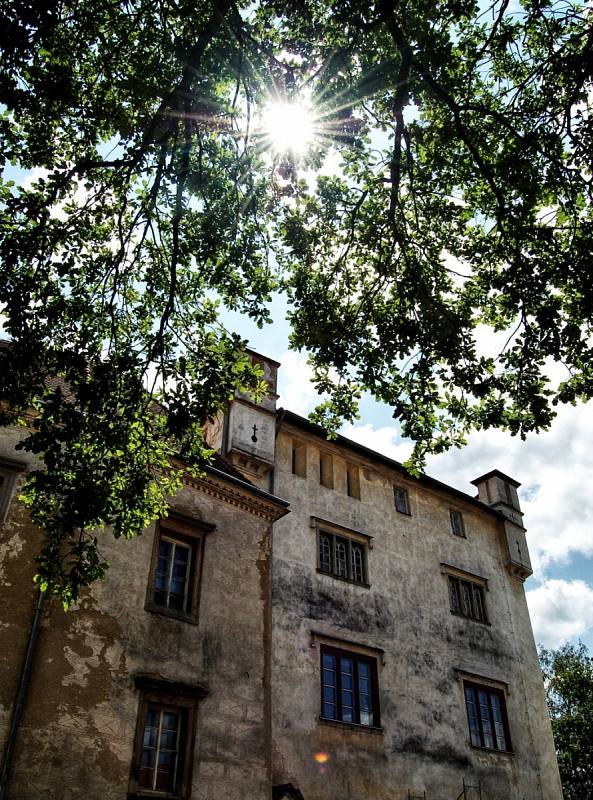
(462, 203)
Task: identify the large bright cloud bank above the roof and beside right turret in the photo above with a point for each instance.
(554, 468)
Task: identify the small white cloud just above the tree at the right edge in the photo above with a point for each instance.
(560, 611)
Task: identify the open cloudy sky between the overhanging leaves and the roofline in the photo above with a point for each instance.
(553, 468)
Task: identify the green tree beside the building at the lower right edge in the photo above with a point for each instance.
(568, 676)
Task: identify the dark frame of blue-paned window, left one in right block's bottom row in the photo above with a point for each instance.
(357, 658)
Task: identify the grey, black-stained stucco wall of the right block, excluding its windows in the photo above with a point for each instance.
(424, 743)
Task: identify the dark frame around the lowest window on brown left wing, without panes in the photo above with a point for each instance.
(177, 698)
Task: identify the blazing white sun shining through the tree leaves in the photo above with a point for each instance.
(288, 127)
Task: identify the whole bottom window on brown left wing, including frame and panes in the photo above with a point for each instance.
(161, 764)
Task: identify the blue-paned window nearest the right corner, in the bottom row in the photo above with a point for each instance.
(487, 718)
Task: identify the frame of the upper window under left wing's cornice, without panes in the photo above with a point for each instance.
(187, 533)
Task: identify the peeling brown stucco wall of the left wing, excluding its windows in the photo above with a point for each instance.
(77, 735)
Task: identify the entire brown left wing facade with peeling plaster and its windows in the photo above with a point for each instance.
(100, 671)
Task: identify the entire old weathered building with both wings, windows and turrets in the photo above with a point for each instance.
(372, 643)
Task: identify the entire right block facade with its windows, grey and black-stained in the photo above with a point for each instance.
(437, 616)
